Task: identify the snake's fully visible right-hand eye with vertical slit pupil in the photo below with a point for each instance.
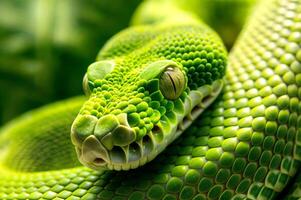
(172, 82)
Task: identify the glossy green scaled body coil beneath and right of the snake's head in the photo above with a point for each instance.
(245, 146)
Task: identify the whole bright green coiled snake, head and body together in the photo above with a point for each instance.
(149, 84)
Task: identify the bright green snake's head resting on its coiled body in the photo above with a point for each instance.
(141, 102)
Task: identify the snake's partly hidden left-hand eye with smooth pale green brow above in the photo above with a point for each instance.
(97, 70)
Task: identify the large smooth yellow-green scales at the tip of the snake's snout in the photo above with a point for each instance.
(95, 139)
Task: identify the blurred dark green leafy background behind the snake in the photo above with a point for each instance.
(46, 45)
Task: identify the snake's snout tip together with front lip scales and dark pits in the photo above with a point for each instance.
(110, 143)
